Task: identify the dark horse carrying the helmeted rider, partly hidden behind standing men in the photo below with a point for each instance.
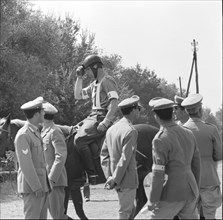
(75, 170)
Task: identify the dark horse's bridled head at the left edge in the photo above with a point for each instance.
(5, 142)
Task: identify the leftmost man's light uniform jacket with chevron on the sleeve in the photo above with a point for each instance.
(32, 174)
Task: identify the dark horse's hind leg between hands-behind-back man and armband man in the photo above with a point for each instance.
(141, 198)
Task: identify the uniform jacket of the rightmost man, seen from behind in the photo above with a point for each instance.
(210, 146)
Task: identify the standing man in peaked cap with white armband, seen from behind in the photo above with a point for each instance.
(176, 167)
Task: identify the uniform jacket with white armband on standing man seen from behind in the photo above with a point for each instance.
(175, 148)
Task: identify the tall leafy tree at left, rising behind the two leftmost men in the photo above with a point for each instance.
(39, 56)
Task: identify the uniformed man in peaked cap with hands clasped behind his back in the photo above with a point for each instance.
(118, 157)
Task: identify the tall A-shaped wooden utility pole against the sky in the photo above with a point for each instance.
(194, 63)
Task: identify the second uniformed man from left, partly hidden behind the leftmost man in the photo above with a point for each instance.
(55, 152)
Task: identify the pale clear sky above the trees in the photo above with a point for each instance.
(157, 35)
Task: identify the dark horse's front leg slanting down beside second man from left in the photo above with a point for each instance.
(78, 202)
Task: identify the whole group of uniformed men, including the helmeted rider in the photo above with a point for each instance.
(187, 154)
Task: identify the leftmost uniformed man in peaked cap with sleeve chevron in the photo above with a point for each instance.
(32, 179)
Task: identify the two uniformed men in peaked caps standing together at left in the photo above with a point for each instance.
(41, 156)
